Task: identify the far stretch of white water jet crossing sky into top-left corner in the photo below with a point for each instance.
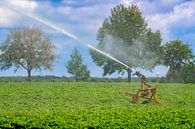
(45, 22)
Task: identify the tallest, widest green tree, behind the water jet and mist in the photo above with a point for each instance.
(125, 36)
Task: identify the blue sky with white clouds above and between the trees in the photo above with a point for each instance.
(174, 18)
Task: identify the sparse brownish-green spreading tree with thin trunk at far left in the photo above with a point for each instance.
(27, 48)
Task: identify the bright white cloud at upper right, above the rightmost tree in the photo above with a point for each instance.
(183, 15)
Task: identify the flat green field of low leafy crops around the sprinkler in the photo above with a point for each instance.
(93, 105)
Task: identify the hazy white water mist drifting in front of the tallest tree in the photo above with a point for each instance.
(134, 54)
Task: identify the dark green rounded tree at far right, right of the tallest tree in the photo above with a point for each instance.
(175, 55)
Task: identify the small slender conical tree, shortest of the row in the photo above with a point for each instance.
(76, 67)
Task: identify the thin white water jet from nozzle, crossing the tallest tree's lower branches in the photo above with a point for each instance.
(107, 55)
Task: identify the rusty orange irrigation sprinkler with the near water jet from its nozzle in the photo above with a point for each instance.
(147, 92)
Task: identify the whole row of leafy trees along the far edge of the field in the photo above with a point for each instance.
(124, 35)
